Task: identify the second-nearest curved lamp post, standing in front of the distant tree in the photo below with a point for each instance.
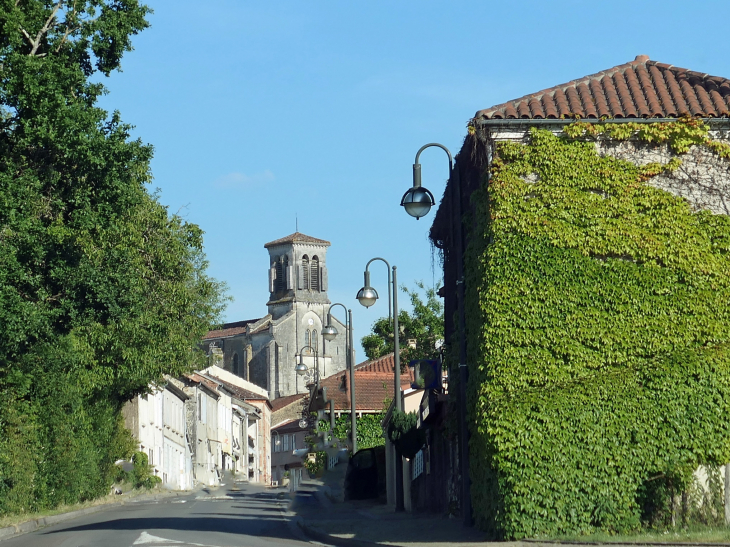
(367, 297)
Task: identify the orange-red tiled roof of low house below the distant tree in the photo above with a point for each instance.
(373, 385)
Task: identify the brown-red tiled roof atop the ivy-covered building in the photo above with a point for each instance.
(639, 89)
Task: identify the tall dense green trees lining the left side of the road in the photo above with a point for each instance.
(101, 290)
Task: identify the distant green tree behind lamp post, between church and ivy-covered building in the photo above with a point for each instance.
(425, 325)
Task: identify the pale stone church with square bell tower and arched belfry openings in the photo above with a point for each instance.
(266, 350)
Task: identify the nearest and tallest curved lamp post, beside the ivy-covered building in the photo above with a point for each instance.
(417, 202)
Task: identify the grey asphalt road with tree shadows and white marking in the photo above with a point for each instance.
(244, 515)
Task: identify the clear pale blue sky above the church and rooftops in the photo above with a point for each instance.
(262, 112)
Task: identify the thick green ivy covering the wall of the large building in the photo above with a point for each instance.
(598, 327)
